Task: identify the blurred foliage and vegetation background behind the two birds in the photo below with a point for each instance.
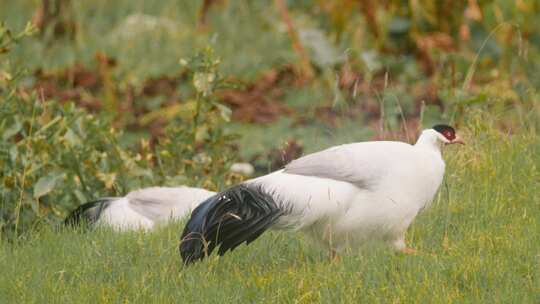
(98, 98)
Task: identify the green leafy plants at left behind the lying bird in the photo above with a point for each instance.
(55, 156)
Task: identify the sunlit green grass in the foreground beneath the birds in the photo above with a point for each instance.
(478, 243)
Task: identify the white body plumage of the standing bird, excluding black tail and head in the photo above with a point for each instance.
(353, 193)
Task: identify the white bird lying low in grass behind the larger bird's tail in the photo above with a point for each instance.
(141, 209)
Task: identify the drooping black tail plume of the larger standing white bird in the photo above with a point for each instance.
(239, 214)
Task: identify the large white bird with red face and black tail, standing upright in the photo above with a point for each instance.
(343, 196)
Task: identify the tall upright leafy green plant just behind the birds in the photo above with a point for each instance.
(196, 134)
